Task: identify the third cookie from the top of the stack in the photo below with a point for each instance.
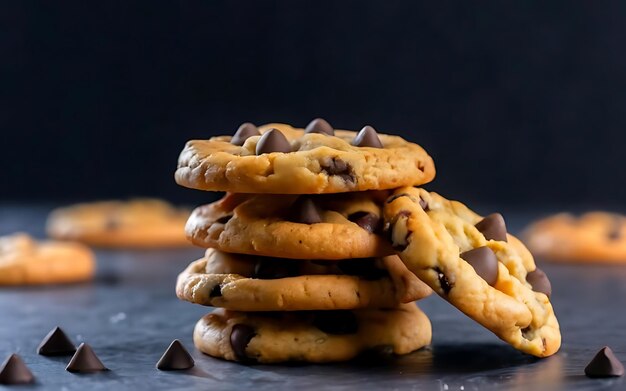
(245, 283)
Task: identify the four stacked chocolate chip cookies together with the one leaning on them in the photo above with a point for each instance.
(322, 243)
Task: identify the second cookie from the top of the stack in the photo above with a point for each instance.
(337, 226)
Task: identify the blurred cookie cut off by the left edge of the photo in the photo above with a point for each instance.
(24, 261)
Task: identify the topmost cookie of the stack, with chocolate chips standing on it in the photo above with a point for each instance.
(280, 159)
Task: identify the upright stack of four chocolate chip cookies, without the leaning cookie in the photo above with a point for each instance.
(296, 263)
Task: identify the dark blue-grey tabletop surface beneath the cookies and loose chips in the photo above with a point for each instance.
(130, 314)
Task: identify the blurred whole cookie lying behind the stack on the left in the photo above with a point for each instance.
(139, 223)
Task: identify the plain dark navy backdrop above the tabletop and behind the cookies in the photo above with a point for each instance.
(519, 103)
